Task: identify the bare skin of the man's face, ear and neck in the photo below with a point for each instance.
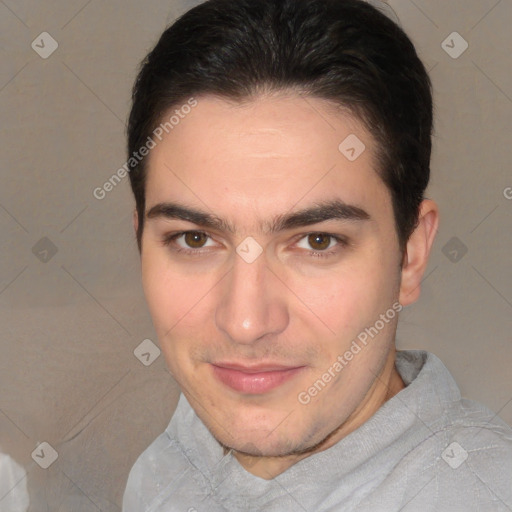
(248, 163)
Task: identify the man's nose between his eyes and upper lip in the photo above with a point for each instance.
(252, 304)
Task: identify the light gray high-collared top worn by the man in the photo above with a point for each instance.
(426, 449)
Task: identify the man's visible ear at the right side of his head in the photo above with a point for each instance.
(417, 252)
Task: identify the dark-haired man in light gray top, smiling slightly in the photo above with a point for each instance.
(283, 152)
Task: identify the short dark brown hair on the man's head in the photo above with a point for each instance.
(345, 51)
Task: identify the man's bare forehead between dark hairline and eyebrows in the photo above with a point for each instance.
(264, 157)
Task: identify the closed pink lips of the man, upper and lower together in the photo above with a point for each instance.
(255, 379)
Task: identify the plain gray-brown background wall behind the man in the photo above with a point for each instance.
(71, 320)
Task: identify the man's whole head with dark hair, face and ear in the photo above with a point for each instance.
(291, 141)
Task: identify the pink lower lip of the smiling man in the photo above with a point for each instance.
(254, 383)
